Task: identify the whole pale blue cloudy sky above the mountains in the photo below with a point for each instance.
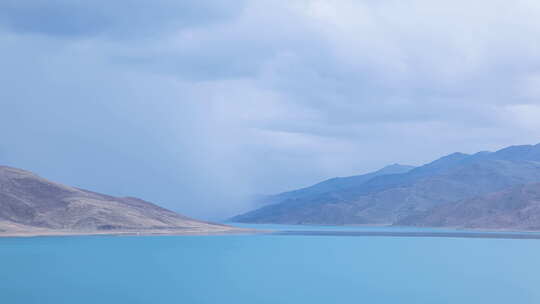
(198, 105)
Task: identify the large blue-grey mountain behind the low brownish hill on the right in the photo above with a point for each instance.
(386, 199)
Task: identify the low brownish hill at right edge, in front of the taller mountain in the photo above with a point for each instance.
(517, 208)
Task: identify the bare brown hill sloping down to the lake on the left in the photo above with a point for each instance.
(31, 205)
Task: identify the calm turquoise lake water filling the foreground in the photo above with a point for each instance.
(268, 269)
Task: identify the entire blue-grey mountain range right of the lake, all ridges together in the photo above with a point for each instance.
(427, 195)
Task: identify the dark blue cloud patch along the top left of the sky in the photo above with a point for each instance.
(134, 19)
